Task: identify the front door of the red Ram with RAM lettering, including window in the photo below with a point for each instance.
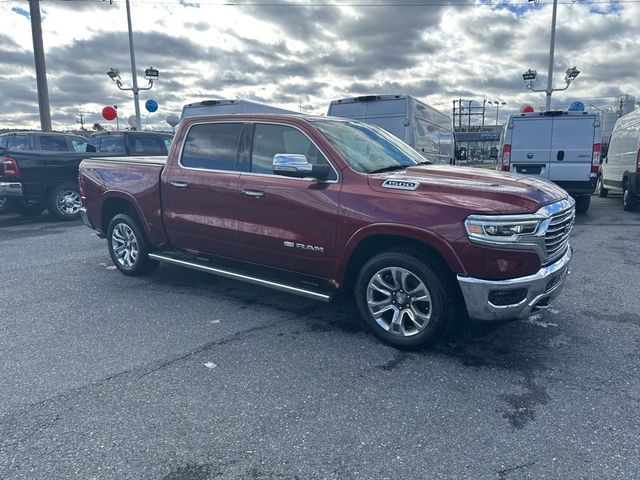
(287, 223)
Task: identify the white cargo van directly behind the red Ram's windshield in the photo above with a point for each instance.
(426, 129)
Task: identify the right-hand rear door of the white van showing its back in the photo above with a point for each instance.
(572, 148)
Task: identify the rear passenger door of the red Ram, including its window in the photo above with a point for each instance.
(200, 194)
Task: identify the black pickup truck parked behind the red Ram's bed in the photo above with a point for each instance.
(36, 181)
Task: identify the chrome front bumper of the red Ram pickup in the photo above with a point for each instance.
(531, 294)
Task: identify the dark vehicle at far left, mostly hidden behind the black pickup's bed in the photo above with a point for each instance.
(38, 141)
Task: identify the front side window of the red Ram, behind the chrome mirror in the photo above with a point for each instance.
(269, 140)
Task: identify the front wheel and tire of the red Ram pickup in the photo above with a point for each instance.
(381, 296)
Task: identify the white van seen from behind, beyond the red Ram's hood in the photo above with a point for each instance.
(560, 146)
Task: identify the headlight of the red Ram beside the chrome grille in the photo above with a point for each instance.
(499, 229)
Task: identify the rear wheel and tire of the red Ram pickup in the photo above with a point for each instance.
(128, 247)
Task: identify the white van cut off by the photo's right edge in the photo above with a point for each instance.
(620, 170)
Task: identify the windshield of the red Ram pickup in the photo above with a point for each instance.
(367, 148)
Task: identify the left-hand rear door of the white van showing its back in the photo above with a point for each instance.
(531, 145)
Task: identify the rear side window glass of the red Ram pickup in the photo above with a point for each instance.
(213, 146)
